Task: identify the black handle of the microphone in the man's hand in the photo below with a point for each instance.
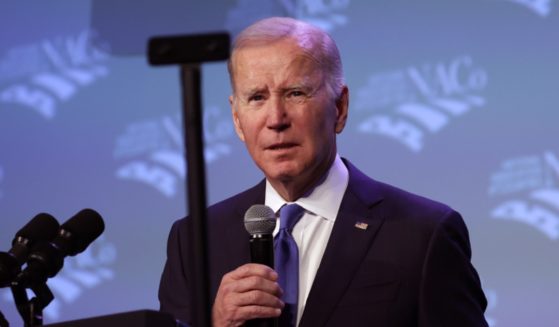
(262, 251)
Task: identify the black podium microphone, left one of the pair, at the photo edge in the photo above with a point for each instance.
(42, 228)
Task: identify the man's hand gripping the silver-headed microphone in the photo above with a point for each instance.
(248, 292)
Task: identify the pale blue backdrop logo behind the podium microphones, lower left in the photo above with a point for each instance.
(85, 271)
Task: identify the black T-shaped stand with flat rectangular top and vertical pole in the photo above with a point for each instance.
(190, 52)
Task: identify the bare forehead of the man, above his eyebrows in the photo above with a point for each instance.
(276, 62)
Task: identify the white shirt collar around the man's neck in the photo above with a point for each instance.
(324, 200)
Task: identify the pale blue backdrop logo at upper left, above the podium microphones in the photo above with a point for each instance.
(43, 75)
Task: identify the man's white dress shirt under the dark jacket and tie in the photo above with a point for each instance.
(313, 230)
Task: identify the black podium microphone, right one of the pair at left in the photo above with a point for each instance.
(74, 237)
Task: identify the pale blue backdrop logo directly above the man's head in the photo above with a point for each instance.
(325, 14)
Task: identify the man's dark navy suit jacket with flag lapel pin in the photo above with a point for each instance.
(409, 267)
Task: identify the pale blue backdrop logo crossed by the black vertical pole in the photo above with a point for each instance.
(154, 149)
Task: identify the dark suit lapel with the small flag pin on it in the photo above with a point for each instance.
(354, 230)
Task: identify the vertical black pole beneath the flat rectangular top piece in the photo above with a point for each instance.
(196, 179)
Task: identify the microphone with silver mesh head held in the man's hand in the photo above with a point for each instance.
(260, 222)
